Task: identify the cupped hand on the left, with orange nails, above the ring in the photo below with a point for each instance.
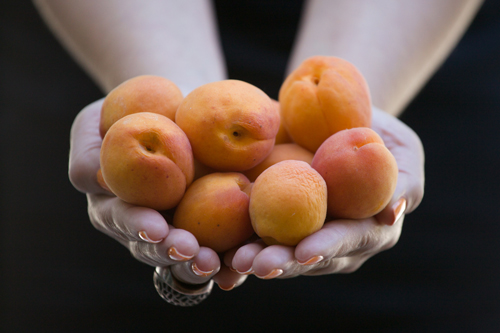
(145, 232)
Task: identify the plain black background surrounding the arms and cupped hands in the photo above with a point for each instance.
(58, 274)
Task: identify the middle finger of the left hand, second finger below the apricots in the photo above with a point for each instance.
(179, 246)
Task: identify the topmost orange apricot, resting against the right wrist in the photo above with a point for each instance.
(322, 96)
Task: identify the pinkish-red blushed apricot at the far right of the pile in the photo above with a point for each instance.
(360, 172)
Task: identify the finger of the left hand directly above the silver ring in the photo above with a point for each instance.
(199, 270)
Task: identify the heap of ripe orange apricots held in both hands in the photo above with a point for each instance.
(228, 161)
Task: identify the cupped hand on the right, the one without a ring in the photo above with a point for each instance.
(342, 246)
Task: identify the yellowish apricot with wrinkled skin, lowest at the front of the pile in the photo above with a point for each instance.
(288, 202)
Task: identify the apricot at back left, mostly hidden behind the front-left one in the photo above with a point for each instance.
(145, 93)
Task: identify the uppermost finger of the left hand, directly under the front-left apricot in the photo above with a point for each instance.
(124, 221)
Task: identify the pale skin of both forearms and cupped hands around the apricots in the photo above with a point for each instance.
(397, 45)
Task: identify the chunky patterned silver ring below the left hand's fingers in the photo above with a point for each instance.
(178, 293)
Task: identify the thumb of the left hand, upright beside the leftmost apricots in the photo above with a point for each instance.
(85, 146)
